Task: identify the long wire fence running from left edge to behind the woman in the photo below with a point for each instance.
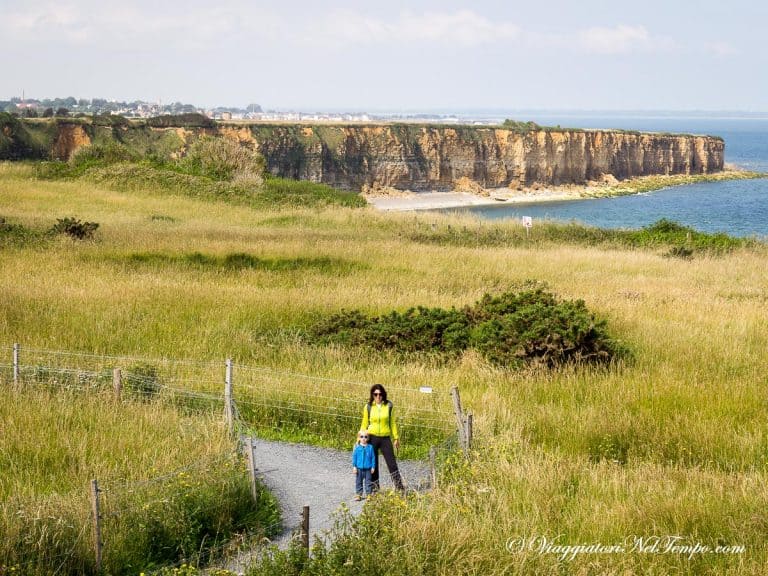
(298, 405)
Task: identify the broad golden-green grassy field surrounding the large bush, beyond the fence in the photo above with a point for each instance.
(671, 443)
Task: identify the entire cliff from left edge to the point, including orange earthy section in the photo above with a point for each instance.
(404, 156)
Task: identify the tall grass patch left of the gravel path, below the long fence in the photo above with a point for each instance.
(172, 486)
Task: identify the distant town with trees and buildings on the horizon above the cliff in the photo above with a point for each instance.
(73, 107)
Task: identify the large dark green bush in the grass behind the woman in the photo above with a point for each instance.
(515, 328)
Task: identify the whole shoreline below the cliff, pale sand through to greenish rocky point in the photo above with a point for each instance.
(392, 200)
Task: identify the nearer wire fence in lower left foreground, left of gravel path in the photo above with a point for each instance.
(207, 510)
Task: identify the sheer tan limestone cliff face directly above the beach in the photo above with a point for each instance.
(435, 158)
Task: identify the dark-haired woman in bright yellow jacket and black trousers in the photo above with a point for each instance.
(379, 421)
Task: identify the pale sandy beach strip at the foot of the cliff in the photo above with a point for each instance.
(434, 200)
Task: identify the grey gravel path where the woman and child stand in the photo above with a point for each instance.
(301, 475)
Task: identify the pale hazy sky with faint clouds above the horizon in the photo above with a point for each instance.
(391, 56)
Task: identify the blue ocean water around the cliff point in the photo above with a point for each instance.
(737, 207)
